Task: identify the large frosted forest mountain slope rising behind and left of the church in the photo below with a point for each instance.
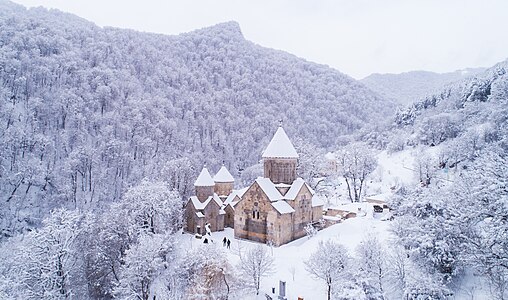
(88, 111)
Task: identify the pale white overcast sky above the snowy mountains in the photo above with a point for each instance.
(357, 37)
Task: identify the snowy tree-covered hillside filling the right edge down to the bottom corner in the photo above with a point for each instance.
(453, 222)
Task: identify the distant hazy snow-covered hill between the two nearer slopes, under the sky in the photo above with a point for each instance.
(407, 88)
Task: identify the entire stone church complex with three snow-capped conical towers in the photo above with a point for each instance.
(274, 209)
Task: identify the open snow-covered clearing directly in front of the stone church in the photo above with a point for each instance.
(292, 255)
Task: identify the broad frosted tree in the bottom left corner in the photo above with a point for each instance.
(46, 261)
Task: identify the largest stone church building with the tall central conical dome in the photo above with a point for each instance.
(277, 207)
